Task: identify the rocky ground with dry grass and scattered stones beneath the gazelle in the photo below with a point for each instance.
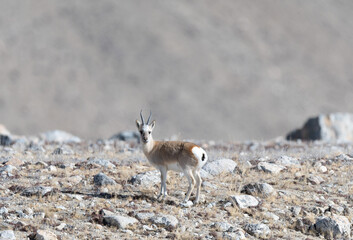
(56, 186)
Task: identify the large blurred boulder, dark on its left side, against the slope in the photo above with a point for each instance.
(326, 127)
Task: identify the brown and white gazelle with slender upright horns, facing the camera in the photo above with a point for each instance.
(178, 156)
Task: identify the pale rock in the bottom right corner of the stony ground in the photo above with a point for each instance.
(335, 226)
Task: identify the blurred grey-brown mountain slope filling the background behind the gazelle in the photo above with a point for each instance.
(231, 70)
